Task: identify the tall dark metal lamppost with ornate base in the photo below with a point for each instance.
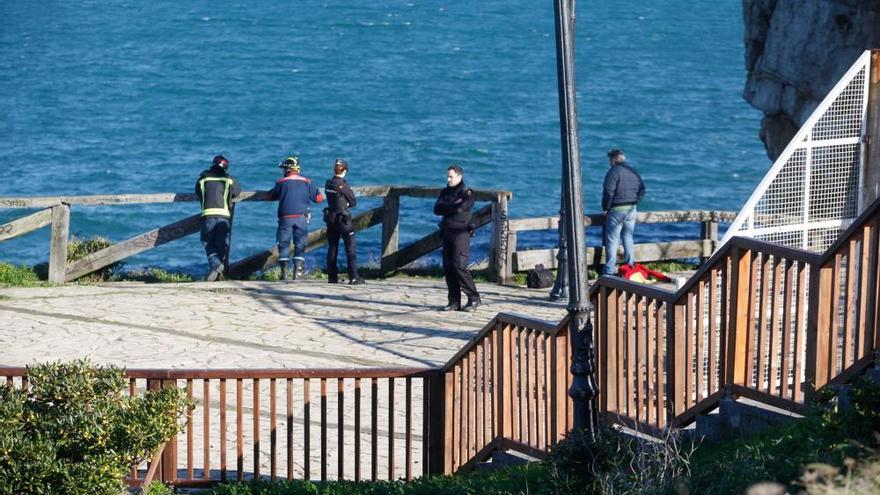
(583, 389)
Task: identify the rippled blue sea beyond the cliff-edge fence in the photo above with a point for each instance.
(114, 97)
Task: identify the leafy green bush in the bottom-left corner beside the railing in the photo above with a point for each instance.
(75, 432)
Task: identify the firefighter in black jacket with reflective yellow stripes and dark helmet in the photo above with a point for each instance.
(215, 189)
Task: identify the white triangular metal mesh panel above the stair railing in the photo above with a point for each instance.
(813, 191)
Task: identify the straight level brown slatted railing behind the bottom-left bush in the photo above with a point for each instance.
(361, 424)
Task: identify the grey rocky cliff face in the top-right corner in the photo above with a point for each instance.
(796, 50)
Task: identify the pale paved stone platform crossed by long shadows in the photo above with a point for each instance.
(301, 324)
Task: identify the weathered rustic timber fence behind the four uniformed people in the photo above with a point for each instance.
(56, 212)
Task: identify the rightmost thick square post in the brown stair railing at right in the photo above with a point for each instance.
(816, 361)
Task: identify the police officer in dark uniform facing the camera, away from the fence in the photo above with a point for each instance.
(455, 204)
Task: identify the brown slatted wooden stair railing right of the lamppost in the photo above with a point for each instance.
(757, 320)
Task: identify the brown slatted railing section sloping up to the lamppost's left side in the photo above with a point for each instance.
(507, 388)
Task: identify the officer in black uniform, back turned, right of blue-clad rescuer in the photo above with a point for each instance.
(340, 200)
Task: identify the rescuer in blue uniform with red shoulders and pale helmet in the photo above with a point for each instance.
(294, 193)
